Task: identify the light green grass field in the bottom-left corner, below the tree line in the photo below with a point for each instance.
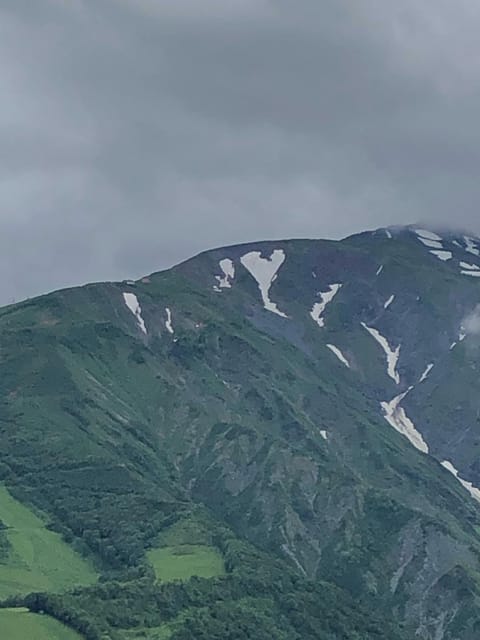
(19, 624)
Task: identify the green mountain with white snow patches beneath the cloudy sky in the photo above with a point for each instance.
(273, 440)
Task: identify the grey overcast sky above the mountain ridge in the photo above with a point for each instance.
(135, 133)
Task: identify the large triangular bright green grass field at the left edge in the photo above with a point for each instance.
(39, 559)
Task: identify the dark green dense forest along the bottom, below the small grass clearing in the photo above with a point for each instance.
(259, 598)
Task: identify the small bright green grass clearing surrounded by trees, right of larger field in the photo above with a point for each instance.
(184, 561)
